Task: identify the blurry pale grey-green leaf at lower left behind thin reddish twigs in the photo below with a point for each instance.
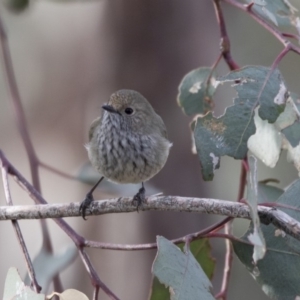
(47, 265)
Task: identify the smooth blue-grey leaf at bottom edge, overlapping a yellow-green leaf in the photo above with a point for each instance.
(181, 272)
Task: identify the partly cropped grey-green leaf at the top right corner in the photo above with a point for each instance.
(279, 12)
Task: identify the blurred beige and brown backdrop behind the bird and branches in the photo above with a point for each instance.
(68, 59)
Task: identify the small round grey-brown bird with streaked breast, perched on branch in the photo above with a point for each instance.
(127, 143)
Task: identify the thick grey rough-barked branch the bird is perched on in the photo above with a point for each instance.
(157, 202)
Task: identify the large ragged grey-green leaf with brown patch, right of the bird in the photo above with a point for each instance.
(229, 134)
